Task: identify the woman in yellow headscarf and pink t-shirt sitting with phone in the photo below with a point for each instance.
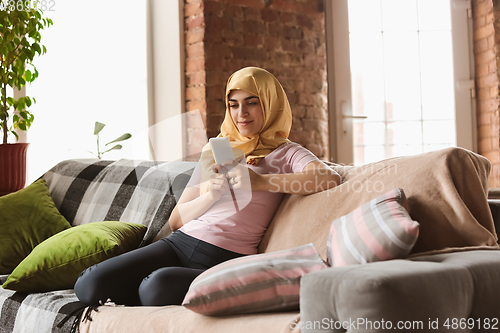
(209, 223)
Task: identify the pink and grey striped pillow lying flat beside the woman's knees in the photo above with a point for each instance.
(256, 283)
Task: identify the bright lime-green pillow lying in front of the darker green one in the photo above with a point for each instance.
(57, 262)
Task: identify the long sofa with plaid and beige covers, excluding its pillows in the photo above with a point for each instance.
(448, 282)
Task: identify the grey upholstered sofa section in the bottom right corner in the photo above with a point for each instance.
(452, 292)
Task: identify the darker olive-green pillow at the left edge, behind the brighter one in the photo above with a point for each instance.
(27, 218)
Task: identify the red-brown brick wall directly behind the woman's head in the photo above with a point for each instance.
(286, 37)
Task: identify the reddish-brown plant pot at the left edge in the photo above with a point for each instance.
(12, 167)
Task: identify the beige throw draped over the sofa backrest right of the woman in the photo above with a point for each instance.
(447, 194)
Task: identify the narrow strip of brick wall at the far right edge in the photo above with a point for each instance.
(486, 36)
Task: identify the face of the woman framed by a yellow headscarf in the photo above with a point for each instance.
(246, 112)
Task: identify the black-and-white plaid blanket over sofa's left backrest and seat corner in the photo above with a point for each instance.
(87, 191)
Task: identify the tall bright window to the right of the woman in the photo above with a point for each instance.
(397, 58)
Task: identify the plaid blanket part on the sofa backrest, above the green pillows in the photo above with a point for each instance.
(141, 192)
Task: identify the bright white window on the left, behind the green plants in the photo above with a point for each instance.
(94, 70)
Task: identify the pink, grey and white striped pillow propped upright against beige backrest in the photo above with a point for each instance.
(378, 230)
